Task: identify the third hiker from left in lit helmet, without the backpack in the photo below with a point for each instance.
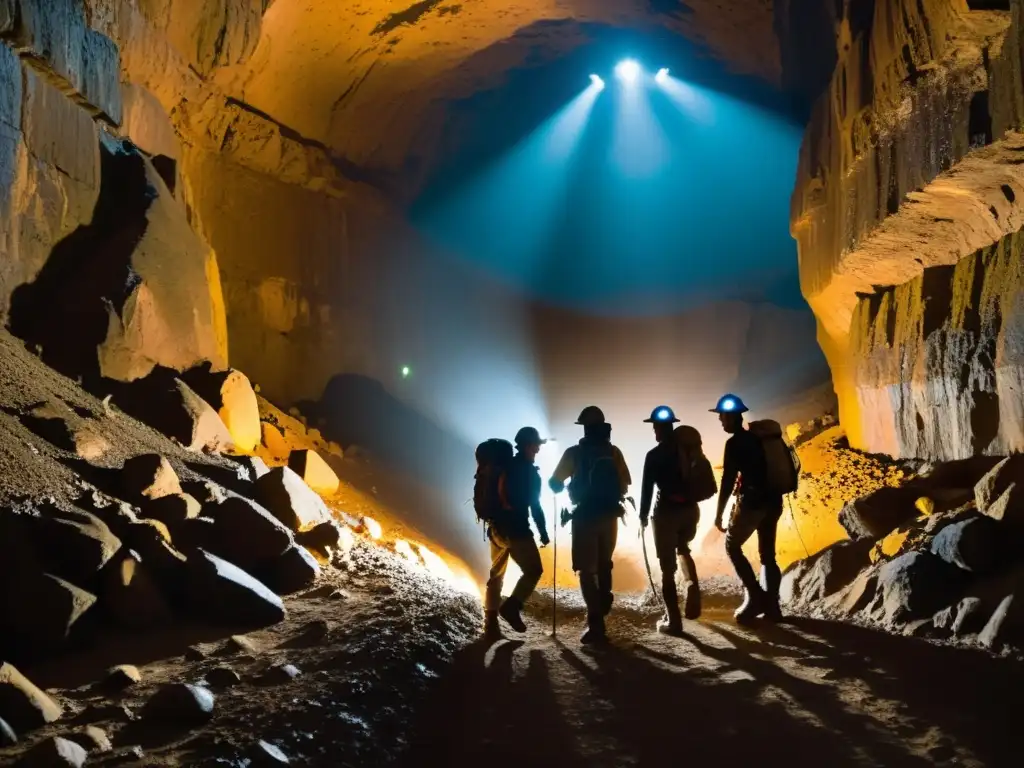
(676, 517)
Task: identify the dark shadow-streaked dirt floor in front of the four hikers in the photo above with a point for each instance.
(804, 694)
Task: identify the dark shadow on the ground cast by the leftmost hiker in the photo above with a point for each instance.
(496, 708)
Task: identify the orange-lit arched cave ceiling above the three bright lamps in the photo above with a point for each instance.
(371, 80)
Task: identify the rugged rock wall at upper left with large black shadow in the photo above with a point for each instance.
(101, 270)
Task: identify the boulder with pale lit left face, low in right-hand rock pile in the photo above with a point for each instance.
(913, 586)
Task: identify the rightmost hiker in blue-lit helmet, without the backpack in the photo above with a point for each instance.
(757, 510)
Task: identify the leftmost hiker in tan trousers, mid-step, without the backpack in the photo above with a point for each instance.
(510, 537)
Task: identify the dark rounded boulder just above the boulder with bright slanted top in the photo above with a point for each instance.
(247, 534)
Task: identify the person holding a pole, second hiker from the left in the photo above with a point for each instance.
(599, 481)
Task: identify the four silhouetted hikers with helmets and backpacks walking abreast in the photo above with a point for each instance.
(759, 470)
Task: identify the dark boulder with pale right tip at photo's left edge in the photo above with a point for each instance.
(39, 613)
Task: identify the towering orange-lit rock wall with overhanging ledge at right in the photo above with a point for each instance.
(910, 163)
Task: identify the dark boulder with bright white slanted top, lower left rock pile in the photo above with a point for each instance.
(225, 594)
